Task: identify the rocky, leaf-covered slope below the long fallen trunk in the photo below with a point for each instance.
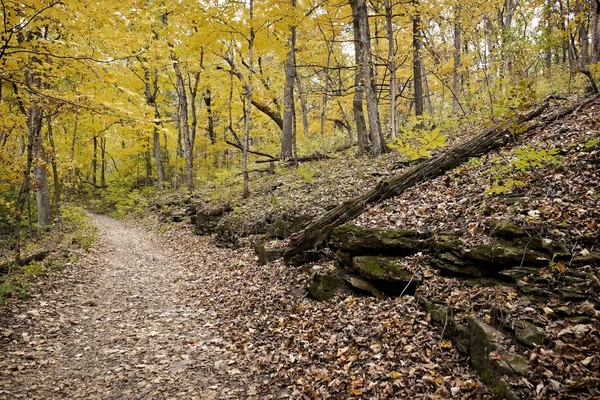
(505, 253)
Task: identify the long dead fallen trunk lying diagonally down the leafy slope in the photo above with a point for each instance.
(318, 231)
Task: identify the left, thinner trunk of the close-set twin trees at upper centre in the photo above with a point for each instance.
(357, 107)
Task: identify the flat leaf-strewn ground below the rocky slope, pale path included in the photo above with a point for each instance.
(169, 315)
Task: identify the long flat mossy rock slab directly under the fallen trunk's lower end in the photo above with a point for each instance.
(361, 240)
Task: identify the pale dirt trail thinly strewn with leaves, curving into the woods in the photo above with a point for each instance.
(118, 327)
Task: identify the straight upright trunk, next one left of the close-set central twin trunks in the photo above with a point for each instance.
(287, 137)
